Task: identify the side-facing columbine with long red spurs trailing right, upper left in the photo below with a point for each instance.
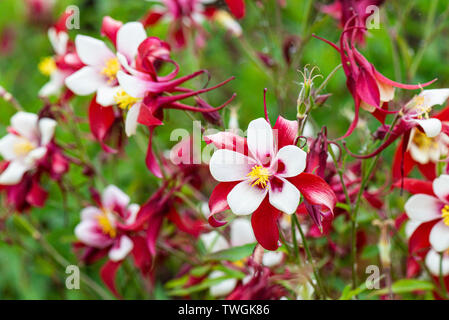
(146, 95)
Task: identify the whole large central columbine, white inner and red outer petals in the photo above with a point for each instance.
(263, 176)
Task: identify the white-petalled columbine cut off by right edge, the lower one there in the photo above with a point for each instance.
(422, 208)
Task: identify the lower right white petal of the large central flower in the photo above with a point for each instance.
(285, 197)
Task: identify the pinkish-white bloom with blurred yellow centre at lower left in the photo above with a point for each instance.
(100, 226)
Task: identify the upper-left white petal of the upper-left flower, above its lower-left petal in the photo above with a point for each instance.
(92, 52)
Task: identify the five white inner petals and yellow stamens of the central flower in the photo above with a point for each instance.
(263, 171)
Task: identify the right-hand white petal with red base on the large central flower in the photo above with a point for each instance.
(293, 161)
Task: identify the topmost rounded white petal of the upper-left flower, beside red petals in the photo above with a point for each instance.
(129, 37)
